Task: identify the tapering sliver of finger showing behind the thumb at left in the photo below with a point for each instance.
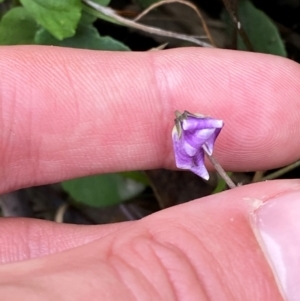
(24, 238)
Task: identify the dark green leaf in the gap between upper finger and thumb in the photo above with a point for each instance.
(102, 190)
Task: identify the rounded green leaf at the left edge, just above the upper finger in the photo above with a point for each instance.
(17, 27)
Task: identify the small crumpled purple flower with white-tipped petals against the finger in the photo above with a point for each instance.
(194, 135)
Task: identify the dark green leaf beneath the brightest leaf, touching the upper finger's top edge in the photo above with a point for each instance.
(86, 37)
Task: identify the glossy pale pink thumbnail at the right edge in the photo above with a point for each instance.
(278, 225)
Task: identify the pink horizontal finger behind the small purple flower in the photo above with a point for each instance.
(68, 113)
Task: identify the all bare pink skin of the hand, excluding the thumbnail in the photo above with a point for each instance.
(65, 111)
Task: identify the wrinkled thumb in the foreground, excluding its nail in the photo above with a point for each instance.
(205, 249)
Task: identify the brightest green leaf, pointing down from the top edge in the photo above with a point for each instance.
(60, 17)
